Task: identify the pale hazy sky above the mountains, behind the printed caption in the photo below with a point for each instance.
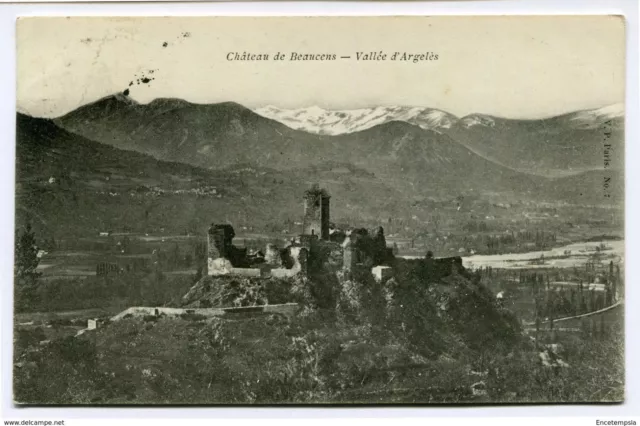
(506, 66)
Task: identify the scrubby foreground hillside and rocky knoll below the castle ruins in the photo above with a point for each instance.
(416, 338)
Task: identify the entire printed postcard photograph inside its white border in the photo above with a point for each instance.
(406, 210)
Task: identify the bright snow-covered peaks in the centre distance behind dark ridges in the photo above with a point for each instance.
(330, 122)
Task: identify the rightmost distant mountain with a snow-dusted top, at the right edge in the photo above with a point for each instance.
(548, 146)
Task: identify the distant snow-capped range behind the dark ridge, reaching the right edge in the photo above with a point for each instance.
(561, 145)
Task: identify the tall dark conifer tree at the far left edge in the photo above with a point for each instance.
(25, 263)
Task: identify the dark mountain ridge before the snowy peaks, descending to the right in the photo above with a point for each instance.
(218, 135)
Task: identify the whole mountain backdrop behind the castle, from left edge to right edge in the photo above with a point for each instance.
(100, 152)
